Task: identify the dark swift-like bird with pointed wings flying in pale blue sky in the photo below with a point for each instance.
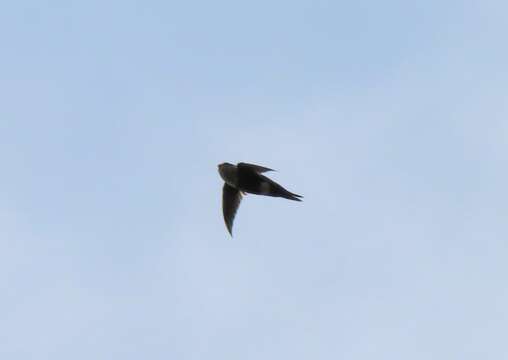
(244, 178)
